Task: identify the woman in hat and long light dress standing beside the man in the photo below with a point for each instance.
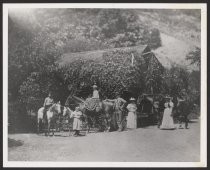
(132, 117)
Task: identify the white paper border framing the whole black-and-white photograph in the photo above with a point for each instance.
(203, 117)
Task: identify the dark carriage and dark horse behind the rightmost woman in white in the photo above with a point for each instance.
(151, 108)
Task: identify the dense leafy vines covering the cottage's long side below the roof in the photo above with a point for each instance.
(115, 75)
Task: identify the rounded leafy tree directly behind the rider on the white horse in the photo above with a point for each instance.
(37, 86)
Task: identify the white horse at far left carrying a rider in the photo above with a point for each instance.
(52, 114)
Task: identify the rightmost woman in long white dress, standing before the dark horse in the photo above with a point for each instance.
(168, 122)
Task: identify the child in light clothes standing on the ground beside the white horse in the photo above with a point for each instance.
(76, 115)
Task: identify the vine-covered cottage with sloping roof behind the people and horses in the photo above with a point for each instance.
(124, 69)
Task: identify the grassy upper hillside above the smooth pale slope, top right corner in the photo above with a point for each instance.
(181, 24)
